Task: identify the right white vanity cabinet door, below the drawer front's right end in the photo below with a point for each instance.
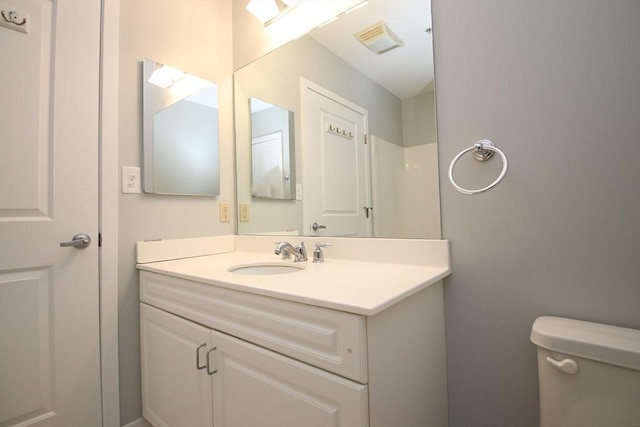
(257, 387)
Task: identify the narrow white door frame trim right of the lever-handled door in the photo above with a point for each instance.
(108, 214)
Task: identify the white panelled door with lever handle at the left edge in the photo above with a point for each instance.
(49, 324)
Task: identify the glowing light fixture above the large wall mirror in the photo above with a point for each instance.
(298, 17)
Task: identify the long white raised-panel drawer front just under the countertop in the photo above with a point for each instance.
(329, 339)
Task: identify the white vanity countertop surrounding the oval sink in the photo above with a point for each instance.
(354, 286)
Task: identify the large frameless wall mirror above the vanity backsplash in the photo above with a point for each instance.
(361, 95)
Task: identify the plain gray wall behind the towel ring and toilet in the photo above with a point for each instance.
(556, 85)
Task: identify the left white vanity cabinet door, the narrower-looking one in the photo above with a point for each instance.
(175, 393)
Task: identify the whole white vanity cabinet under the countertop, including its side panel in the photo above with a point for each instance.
(213, 356)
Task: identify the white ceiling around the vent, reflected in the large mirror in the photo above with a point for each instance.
(406, 70)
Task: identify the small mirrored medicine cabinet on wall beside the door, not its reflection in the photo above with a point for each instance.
(180, 132)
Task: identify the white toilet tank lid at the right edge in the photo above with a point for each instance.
(605, 343)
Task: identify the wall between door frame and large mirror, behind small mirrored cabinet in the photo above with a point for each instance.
(193, 35)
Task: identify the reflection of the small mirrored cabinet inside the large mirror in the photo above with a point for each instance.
(271, 151)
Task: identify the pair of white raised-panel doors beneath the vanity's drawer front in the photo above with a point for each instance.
(237, 384)
